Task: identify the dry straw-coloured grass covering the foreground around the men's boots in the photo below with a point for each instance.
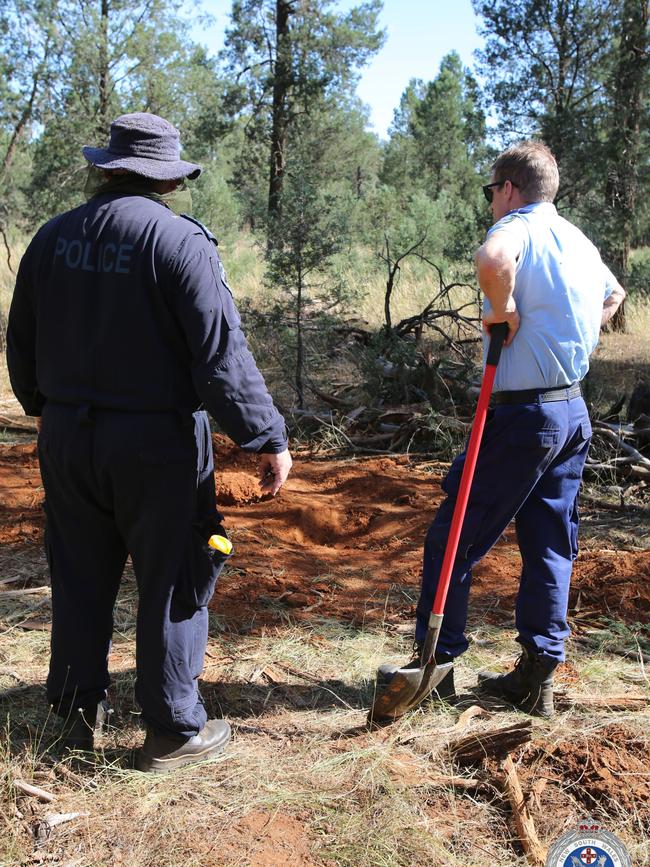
(301, 759)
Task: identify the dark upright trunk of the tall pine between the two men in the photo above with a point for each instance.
(281, 86)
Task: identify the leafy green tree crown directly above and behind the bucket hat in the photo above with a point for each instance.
(111, 58)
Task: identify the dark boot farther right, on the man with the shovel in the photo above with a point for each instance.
(529, 686)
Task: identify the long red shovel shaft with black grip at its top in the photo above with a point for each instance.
(498, 334)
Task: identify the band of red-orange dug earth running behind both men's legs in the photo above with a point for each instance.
(343, 538)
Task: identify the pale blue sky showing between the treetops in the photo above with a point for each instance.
(419, 34)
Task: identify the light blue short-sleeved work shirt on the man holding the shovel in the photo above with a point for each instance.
(560, 286)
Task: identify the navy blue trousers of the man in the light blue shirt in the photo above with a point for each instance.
(529, 468)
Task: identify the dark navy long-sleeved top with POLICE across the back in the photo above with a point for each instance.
(121, 304)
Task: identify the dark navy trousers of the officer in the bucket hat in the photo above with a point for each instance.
(120, 483)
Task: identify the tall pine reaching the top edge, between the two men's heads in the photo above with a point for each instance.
(287, 57)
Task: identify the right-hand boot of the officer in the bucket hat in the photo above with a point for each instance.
(162, 753)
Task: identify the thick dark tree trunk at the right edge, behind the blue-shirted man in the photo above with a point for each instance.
(622, 179)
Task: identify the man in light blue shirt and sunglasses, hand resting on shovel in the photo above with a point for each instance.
(543, 277)
